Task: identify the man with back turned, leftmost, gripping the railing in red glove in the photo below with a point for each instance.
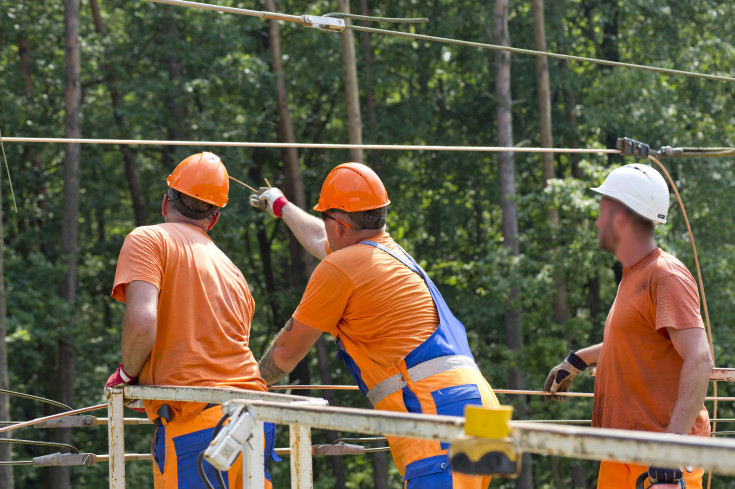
(187, 322)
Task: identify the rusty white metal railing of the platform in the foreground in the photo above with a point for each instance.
(304, 413)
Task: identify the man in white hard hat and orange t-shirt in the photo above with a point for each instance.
(654, 363)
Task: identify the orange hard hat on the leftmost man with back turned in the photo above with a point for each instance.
(202, 176)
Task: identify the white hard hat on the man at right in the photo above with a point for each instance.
(639, 187)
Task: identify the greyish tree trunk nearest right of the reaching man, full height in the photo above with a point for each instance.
(506, 176)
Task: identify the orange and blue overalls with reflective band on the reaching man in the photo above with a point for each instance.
(438, 377)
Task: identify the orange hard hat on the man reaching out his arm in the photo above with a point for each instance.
(352, 187)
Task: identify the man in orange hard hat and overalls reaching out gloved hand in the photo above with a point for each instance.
(398, 338)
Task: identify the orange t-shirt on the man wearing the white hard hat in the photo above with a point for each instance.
(638, 369)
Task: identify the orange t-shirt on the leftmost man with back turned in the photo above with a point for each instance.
(204, 311)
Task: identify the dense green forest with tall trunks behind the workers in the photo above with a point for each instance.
(509, 238)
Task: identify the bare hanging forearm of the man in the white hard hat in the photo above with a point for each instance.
(692, 346)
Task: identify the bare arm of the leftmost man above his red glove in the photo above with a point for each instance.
(139, 325)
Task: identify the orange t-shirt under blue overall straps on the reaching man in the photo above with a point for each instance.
(371, 301)
